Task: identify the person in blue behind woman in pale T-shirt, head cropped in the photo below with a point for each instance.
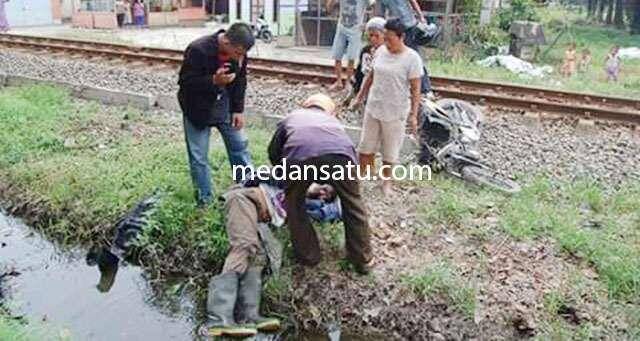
(406, 11)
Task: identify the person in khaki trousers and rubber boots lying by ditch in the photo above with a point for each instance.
(248, 209)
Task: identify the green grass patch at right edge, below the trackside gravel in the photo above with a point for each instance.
(588, 223)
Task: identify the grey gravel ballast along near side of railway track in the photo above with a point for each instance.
(608, 153)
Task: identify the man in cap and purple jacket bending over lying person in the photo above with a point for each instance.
(312, 137)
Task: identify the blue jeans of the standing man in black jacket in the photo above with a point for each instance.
(236, 143)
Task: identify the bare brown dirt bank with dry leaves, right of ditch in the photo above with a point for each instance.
(511, 280)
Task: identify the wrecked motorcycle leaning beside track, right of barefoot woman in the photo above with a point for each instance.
(449, 136)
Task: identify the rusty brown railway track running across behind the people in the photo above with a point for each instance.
(504, 95)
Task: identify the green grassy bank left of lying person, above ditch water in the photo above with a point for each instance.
(90, 166)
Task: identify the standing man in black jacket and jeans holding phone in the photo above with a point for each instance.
(213, 81)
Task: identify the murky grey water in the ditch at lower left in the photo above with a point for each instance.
(58, 287)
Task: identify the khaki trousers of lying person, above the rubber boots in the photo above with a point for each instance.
(242, 210)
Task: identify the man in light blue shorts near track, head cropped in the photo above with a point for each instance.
(348, 38)
